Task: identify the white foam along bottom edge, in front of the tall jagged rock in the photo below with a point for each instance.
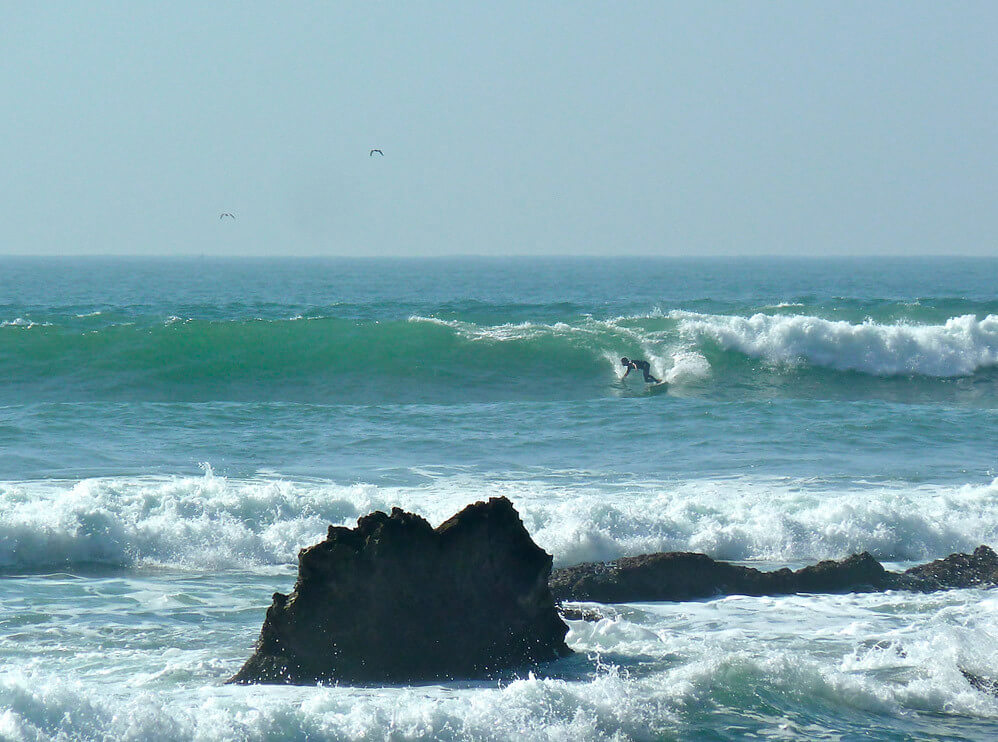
(607, 708)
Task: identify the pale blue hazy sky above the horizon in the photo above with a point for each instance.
(656, 128)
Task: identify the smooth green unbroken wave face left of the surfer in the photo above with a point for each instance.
(340, 359)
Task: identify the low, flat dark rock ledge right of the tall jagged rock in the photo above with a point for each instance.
(677, 576)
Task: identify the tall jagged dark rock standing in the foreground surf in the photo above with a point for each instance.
(395, 600)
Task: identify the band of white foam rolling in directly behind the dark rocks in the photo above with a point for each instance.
(210, 522)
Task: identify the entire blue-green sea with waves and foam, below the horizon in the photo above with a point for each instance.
(173, 431)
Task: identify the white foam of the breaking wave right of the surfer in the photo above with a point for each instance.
(959, 347)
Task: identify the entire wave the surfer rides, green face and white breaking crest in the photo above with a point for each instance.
(431, 358)
